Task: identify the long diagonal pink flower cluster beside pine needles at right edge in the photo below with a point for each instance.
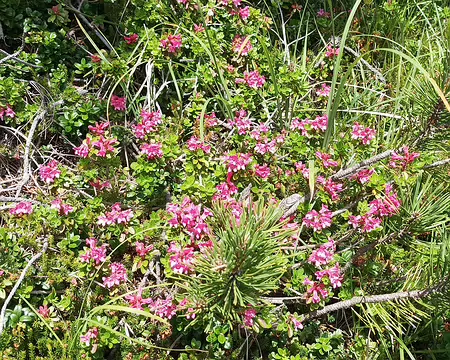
(378, 208)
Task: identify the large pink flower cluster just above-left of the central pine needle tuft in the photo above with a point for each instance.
(190, 217)
